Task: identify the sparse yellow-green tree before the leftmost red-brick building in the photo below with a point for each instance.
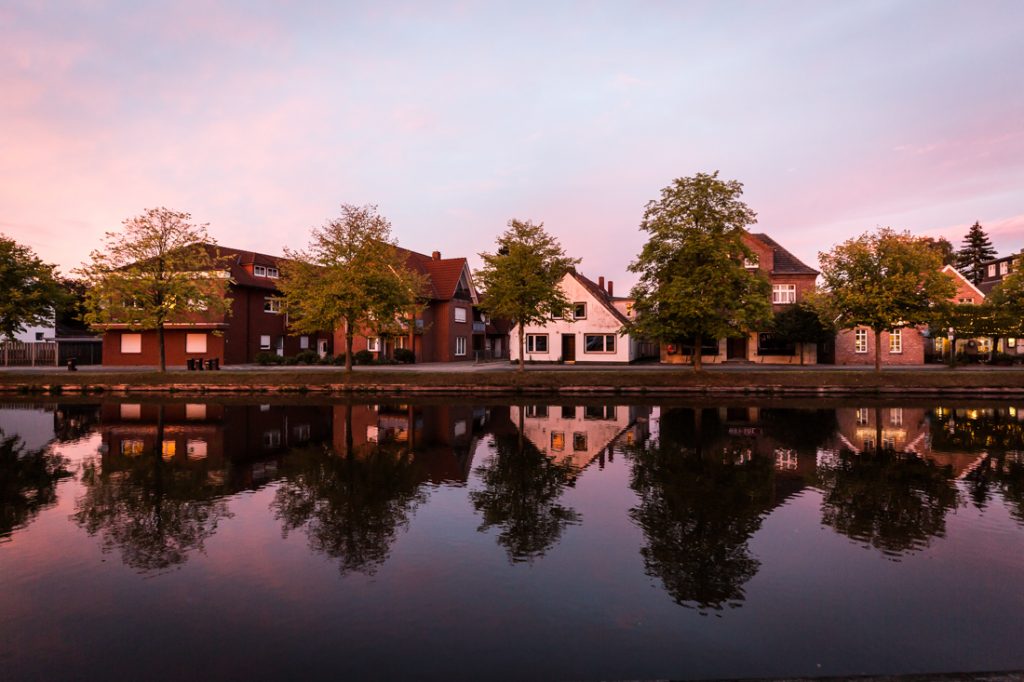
(160, 270)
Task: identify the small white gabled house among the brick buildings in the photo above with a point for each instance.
(589, 333)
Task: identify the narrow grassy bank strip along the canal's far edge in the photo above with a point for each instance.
(635, 382)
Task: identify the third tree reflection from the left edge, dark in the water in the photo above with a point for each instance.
(352, 504)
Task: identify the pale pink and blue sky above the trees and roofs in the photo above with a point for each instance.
(262, 118)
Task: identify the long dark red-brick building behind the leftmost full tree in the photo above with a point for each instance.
(257, 324)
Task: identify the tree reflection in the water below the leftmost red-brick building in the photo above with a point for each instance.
(154, 513)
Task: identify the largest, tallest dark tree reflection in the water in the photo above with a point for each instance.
(702, 498)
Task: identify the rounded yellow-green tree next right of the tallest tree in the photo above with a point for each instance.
(883, 281)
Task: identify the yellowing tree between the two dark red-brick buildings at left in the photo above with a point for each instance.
(352, 277)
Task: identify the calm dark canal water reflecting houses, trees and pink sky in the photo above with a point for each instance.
(474, 540)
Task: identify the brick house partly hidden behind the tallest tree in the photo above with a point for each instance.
(791, 282)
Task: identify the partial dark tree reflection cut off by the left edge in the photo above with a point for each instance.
(28, 483)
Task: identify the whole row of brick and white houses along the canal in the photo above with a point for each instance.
(451, 327)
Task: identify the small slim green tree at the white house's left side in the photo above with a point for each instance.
(522, 279)
